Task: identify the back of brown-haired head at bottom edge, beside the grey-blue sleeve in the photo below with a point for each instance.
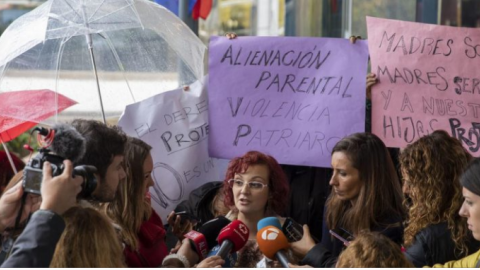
(89, 240)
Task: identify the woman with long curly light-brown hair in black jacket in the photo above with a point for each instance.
(431, 169)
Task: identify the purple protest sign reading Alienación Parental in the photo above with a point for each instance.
(292, 98)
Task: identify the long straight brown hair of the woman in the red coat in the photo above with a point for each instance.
(130, 209)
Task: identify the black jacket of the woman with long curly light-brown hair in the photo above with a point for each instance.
(434, 245)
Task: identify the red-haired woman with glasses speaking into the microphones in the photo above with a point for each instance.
(255, 187)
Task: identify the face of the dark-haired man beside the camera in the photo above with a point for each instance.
(107, 187)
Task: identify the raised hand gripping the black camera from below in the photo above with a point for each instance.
(59, 193)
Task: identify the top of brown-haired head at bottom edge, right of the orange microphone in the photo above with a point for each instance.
(372, 250)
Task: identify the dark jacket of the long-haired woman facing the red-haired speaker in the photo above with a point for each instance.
(325, 254)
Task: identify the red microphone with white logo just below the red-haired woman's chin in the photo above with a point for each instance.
(232, 238)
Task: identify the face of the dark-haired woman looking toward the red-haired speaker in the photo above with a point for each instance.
(345, 179)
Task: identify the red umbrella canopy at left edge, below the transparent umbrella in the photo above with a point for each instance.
(35, 107)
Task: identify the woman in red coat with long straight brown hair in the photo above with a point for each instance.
(139, 227)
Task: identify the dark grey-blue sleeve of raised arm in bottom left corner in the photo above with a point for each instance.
(36, 245)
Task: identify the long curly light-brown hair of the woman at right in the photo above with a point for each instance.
(433, 166)
